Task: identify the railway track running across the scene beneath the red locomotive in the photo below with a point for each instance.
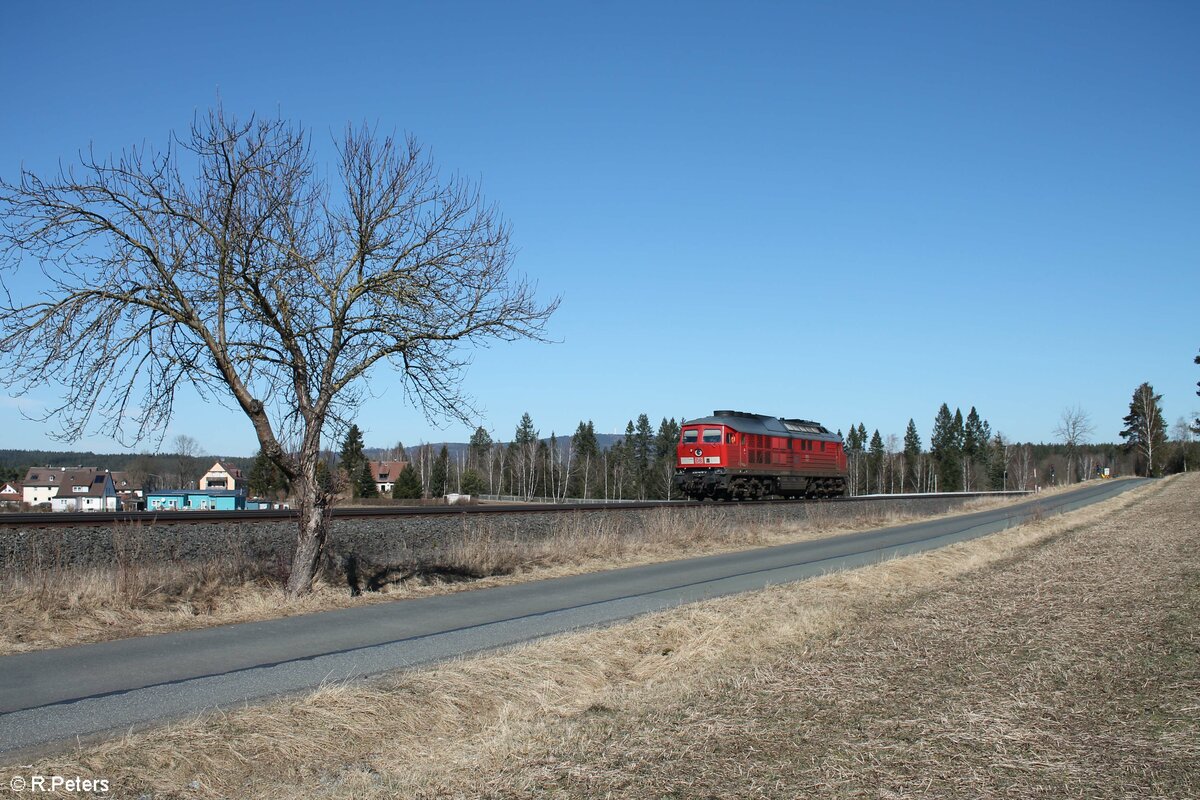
(68, 519)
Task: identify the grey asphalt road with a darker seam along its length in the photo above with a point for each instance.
(80, 693)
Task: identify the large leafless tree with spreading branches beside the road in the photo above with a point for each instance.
(227, 263)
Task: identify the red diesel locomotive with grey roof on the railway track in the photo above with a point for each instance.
(739, 456)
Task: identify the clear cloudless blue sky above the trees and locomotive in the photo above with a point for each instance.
(849, 212)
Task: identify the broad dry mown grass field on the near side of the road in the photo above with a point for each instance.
(1061, 659)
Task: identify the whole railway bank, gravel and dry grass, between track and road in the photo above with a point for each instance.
(67, 586)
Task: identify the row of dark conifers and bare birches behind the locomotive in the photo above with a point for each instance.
(964, 454)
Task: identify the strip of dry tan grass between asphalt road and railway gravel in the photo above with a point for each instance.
(64, 607)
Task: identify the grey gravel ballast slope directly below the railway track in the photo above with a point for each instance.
(413, 539)
